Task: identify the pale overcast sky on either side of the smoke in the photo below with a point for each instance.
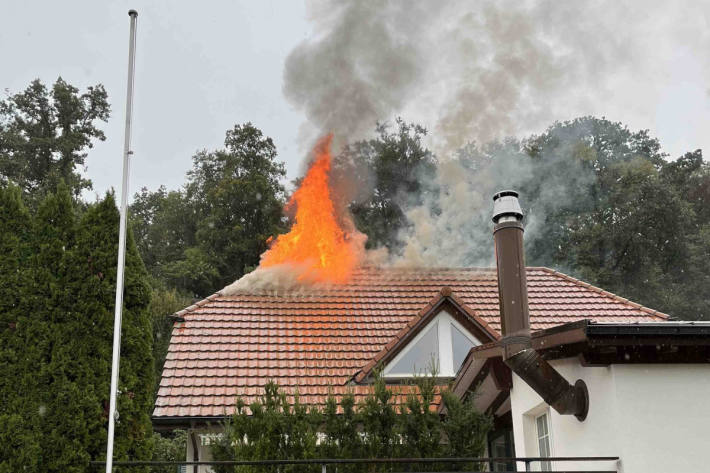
(202, 69)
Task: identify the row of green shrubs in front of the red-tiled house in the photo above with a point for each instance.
(271, 428)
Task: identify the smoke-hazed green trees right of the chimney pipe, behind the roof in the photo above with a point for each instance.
(630, 221)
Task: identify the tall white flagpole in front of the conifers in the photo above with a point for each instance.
(121, 245)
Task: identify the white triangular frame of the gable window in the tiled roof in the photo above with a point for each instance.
(443, 321)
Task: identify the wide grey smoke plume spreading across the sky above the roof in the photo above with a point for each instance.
(476, 72)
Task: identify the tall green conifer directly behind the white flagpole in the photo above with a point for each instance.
(88, 357)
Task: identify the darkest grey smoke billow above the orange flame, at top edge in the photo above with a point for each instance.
(363, 64)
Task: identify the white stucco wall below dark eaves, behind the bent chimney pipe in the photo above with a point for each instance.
(656, 418)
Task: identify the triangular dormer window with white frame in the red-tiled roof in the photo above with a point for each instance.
(442, 344)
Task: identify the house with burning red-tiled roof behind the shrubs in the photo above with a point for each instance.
(223, 347)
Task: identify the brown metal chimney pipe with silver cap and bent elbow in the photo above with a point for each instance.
(518, 353)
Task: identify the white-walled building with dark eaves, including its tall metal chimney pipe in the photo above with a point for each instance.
(588, 388)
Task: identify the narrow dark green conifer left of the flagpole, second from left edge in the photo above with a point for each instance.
(63, 401)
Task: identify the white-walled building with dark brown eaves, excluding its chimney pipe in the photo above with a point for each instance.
(648, 386)
